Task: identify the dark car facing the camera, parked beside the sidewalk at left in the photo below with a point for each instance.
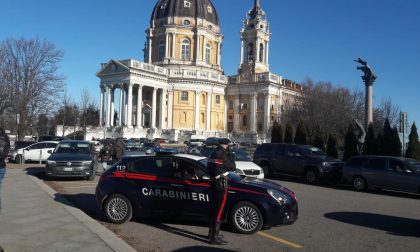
(72, 158)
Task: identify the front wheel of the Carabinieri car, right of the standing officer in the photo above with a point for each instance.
(246, 218)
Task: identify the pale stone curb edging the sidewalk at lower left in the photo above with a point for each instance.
(107, 236)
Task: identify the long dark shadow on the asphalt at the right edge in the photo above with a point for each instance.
(391, 224)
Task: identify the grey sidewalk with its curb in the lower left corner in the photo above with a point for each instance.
(36, 218)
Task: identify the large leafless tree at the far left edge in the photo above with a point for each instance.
(28, 68)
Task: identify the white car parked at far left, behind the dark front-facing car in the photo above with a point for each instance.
(34, 152)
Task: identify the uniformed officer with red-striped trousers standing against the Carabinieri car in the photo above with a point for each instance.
(219, 165)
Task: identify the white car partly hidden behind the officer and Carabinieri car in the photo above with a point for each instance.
(244, 164)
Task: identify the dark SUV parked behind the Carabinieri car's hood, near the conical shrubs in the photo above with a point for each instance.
(306, 161)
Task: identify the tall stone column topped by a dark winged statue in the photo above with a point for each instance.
(368, 78)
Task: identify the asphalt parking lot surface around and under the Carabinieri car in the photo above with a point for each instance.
(331, 218)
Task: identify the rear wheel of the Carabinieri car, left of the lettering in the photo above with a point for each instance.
(118, 209)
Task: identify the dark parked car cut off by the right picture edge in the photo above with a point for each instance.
(395, 173)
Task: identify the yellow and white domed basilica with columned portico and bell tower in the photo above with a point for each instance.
(180, 90)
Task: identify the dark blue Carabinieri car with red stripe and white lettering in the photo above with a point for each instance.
(156, 186)
